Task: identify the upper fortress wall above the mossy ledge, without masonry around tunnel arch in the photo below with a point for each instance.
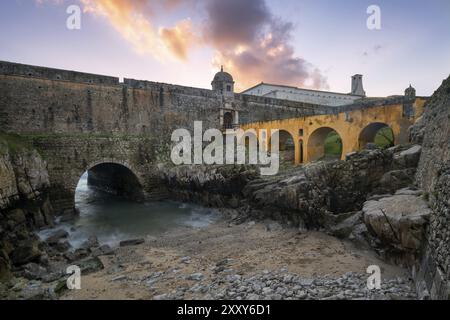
(41, 100)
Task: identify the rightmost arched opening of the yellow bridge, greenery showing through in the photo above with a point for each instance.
(376, 134)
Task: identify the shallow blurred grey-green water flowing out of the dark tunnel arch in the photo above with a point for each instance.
(112, 219)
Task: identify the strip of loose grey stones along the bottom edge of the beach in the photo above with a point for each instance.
(282, 285)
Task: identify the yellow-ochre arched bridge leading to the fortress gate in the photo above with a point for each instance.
(356, 125)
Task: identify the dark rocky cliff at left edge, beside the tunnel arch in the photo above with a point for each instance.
(24, 205)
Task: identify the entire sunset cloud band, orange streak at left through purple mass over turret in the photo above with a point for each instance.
(248, 40)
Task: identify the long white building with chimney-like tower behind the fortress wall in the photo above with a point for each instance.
(333, 99)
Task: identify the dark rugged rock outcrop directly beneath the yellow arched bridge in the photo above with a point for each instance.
(309, 196)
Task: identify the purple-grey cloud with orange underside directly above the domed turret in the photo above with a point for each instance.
(254, 46)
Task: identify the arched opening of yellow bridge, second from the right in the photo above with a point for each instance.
(324, 144)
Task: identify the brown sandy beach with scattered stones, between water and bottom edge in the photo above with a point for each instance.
(273, 264)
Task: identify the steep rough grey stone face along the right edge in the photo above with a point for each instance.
(433, 176)
